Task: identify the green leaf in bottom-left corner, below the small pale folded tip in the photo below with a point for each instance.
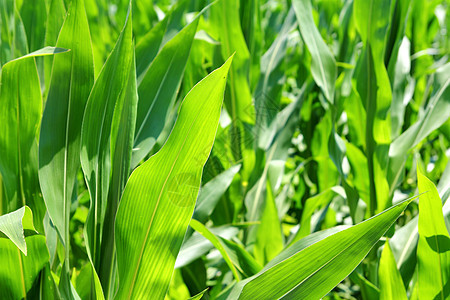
(18, 272)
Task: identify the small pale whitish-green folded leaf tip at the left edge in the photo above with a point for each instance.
(13, 225)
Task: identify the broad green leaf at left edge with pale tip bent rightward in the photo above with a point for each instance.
(21, 109)
